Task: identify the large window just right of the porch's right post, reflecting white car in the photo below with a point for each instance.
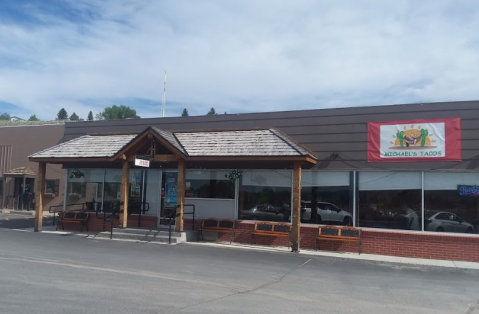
(332, 192)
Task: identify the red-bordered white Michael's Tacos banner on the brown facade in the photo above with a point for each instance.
(415, 140)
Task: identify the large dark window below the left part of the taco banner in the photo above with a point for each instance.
(391, 200)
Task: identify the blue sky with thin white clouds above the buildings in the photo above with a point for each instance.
(235, 56)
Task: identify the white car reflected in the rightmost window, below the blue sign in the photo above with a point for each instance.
(446, 222)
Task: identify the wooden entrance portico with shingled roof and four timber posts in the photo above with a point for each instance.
(242, 148)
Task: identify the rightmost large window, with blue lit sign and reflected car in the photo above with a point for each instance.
(451, 202)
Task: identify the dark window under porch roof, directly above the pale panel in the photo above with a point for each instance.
(209, 184)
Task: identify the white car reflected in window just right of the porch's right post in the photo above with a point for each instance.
(327, 213)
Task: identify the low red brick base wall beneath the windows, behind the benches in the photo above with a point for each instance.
(382, 242)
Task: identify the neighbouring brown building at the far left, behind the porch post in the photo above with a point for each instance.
(17, 174)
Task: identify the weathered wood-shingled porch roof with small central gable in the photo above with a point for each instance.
(263, 143)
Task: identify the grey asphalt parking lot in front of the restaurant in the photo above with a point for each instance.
(67, 273)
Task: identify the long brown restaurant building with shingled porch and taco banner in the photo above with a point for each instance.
(406, 175)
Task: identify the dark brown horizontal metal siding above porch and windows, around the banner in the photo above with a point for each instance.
(337, 136)
